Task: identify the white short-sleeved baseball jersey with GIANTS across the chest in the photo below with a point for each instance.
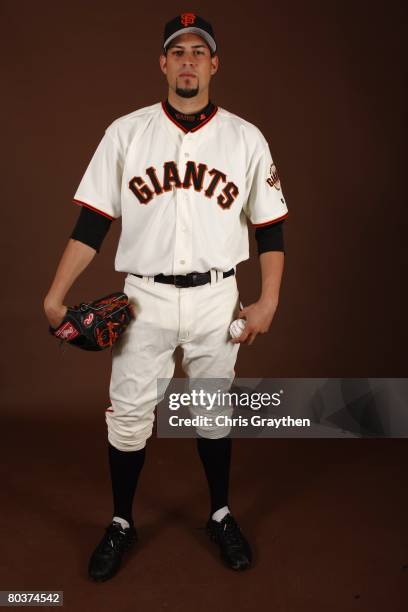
(184, 198)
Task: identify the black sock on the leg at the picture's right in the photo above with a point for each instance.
(216, 459)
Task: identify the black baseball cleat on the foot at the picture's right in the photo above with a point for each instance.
(234, 548)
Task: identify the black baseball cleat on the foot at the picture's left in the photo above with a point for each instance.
(107, 556)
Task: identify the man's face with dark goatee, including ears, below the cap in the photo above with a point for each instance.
(188, 65)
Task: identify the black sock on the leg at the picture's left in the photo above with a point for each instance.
(125, 468)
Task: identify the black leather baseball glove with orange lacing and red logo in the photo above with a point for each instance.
(96, 325)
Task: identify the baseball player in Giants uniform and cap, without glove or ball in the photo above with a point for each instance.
(185, 176)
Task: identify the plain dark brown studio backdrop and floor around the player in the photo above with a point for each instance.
(325, 82)
